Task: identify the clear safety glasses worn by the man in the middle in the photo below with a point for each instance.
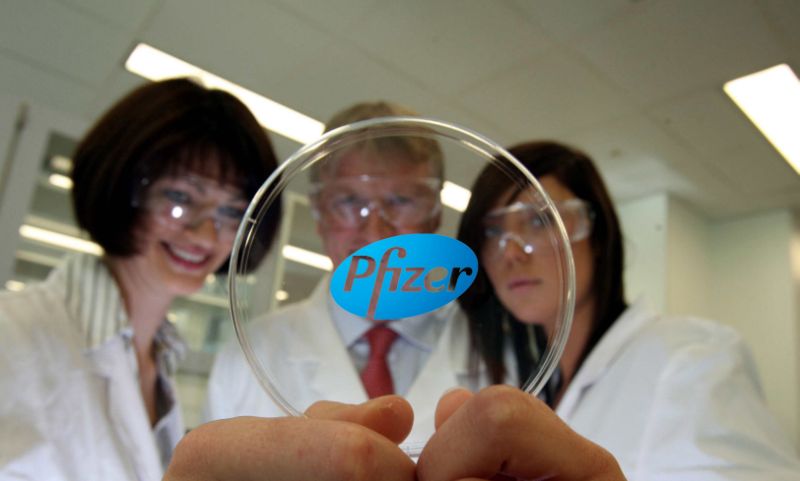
(347, 202)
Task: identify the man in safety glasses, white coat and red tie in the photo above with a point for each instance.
(375, 189)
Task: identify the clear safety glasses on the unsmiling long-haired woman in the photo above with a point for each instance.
(528, 226)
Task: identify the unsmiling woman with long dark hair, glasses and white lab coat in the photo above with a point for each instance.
(670, 398)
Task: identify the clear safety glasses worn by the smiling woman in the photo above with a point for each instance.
(185, 202)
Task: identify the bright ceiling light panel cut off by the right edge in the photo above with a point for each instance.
(771, 100)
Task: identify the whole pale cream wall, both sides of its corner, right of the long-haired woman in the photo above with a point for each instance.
(744, 272)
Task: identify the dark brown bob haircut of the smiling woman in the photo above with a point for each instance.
(164, 128)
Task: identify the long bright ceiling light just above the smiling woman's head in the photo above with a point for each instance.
(154, 64)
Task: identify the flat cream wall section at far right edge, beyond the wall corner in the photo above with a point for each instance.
(755, 290)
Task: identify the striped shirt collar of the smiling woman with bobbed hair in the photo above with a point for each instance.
(93, 299)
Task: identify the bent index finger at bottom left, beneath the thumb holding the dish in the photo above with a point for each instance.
(289, 449)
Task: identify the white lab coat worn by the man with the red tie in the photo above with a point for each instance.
(309, 362)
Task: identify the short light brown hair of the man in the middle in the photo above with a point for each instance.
(417, 149)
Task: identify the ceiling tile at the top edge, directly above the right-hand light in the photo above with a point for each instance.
(671, 47)
